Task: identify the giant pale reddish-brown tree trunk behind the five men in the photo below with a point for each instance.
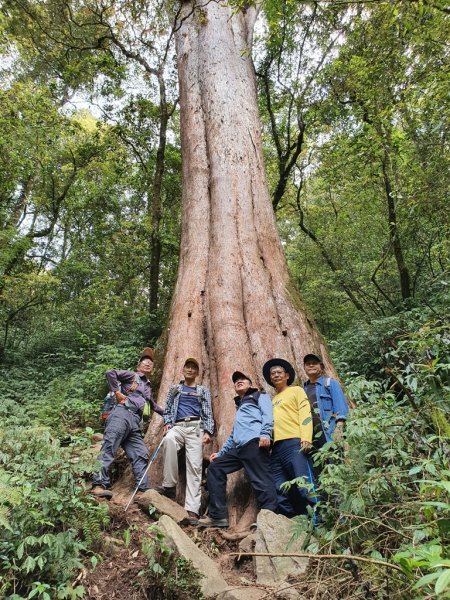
(234, 306)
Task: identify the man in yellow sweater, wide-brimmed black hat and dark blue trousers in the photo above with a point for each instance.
(292, 436)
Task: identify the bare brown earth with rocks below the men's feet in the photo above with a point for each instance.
(123, 572)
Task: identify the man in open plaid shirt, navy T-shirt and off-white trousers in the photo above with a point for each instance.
(189, 423)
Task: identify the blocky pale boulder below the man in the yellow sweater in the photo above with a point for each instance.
(274, 535)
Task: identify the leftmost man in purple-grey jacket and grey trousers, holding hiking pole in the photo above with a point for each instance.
(122, 427)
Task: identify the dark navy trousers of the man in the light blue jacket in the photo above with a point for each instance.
(256, 463)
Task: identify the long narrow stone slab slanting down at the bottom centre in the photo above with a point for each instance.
(212, 583)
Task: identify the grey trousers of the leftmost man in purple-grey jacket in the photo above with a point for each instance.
(122, 429)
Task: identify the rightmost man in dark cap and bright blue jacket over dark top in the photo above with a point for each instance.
(329, 406)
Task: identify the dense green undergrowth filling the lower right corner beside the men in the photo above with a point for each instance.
(385, 489)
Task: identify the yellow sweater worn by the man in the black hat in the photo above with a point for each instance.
(292, 415)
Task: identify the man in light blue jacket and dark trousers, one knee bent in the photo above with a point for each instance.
(247, 447)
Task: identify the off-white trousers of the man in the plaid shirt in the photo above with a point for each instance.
(188, 435)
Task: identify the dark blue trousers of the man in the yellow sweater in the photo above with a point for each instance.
(287, 463)
